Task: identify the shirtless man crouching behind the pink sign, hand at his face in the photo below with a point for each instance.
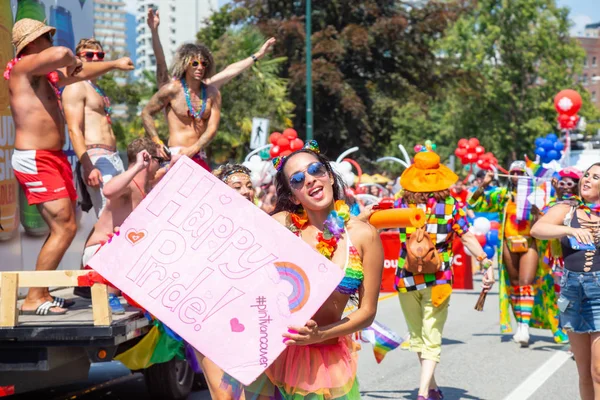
(123, 193)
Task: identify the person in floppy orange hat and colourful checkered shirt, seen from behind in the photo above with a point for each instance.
(424, 297)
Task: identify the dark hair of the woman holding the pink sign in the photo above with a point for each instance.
(284, 192)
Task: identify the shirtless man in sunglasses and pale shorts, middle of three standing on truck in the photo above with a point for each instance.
(87, 111)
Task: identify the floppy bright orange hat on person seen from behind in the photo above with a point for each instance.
(426, 174)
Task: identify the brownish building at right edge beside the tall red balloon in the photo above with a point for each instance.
(590, 77)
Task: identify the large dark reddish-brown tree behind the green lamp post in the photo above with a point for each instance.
(369, 58)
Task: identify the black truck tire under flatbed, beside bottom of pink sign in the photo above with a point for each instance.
(172, 380)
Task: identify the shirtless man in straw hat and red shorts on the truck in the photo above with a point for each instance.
(40, 165)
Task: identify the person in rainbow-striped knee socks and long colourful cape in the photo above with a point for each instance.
(526, 279)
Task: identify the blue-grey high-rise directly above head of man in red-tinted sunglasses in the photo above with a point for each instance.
(109, 26)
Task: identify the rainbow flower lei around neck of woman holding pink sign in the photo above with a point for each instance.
(333, 228)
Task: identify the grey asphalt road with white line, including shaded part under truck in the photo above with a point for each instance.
(477, 363)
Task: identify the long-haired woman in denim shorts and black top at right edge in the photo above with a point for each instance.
(576, 223)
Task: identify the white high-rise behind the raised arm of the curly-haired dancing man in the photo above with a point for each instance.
(179, 23)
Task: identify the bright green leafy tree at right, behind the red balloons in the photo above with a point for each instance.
(516, 55)
